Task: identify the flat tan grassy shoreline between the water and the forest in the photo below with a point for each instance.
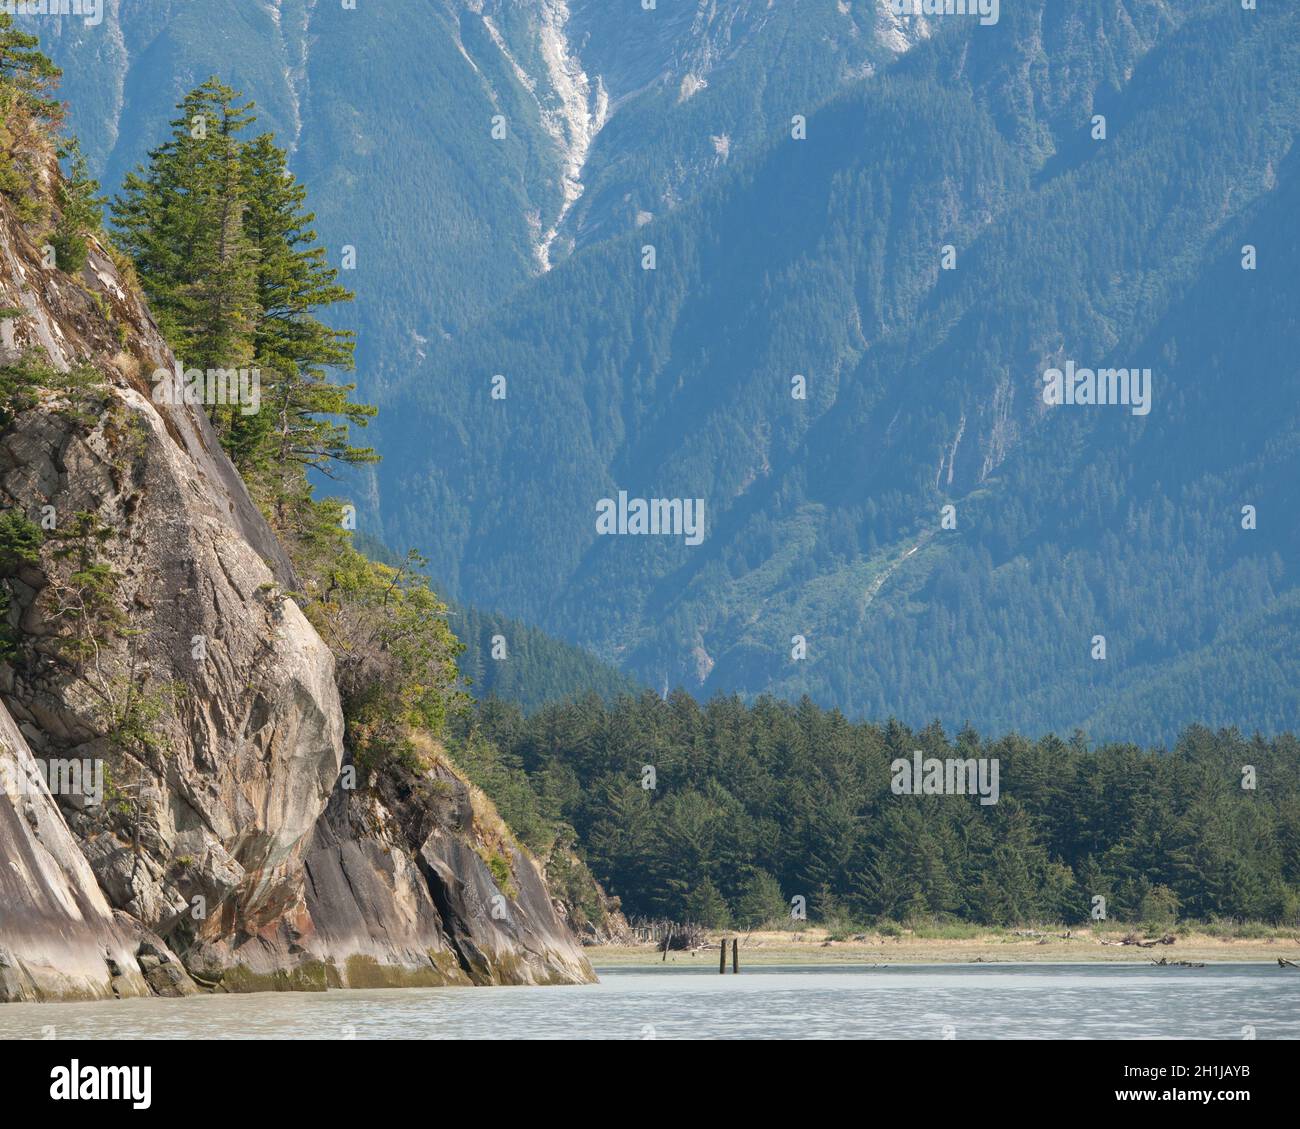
(817, 946)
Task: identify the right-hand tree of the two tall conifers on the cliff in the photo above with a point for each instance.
(306, 418)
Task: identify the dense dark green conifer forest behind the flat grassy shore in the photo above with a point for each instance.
(753, 806)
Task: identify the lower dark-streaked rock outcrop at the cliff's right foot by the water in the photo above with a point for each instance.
(460, 901)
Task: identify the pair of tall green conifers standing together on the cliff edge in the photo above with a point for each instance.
(229, 259)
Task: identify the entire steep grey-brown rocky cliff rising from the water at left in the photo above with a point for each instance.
(180, 808)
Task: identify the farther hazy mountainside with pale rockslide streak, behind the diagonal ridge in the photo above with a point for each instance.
(389, 110)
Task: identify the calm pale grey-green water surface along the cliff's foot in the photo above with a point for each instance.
(921, 1002)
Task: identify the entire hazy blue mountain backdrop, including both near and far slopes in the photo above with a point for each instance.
(820, 258)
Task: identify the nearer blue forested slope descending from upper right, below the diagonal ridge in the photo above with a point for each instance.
(824, 259)
